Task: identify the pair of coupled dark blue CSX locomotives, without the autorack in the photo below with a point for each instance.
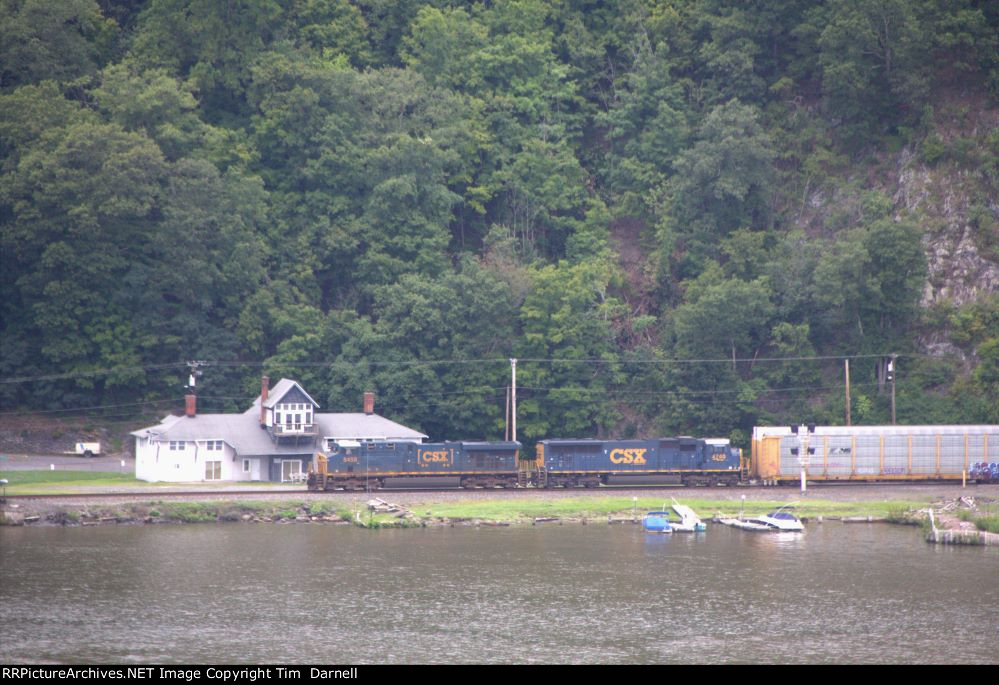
(556, 463)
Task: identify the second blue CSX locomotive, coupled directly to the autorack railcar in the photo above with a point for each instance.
(681, 460)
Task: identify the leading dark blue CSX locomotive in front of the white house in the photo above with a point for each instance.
(376, 464)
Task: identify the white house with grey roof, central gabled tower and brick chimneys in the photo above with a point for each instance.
(273, 440)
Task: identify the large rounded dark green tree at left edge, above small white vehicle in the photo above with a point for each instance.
(78, 192)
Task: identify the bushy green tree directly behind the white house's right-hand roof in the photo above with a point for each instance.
(435, 352)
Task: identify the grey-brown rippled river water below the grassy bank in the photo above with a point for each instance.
(241, 593)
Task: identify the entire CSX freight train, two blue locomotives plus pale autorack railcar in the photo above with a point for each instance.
(828, 453)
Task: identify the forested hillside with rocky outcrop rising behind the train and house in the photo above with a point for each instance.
(681, 216)
